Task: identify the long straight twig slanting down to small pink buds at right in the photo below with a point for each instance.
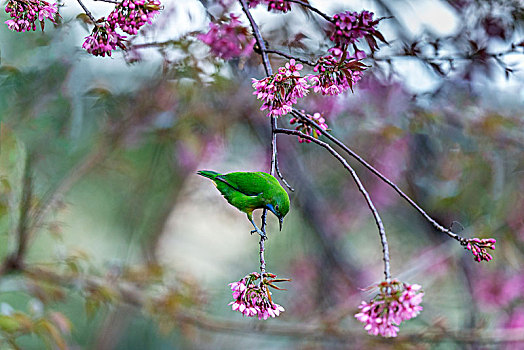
(368, 166)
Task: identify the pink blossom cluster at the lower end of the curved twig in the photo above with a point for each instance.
(396, 302)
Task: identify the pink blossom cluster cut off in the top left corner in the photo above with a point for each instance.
(24, 14)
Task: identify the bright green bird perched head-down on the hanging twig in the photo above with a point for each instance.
(248, 191)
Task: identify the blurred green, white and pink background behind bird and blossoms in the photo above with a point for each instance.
(127, 248)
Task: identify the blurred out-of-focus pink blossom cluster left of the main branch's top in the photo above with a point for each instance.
(229, 39)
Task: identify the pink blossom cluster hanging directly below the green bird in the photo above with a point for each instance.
(253, 298)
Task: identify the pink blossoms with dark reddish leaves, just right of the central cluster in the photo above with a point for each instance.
(337, 72)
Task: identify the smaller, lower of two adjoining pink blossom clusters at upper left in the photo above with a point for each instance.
(103, 39)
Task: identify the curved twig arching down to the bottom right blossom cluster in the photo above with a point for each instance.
(361, 188)
